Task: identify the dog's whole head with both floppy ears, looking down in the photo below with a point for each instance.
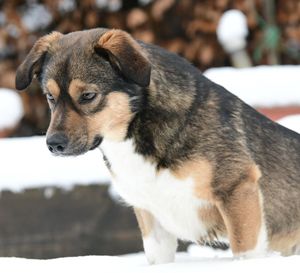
(93, 81)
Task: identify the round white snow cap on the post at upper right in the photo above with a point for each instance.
(232, 30)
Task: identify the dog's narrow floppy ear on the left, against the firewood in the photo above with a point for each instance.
(33, 62)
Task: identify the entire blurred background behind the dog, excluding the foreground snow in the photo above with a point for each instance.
(51, 207)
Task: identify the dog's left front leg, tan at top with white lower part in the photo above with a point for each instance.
(159, 245)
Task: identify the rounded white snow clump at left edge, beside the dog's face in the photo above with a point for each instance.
(11, 108)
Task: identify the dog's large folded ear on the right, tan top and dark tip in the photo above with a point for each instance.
(125, 54)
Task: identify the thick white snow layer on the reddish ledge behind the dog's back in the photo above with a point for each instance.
(264, 86)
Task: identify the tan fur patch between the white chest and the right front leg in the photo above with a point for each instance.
(201, 171)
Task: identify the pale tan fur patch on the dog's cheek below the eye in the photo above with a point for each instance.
(112, 122)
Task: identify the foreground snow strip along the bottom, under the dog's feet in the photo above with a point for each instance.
(205, 260)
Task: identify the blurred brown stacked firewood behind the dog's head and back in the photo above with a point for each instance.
(186, 27)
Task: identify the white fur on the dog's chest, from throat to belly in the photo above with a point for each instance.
(170, 200)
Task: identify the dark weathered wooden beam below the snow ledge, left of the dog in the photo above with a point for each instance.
(54, 222)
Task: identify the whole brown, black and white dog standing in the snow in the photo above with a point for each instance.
(195, 162)
